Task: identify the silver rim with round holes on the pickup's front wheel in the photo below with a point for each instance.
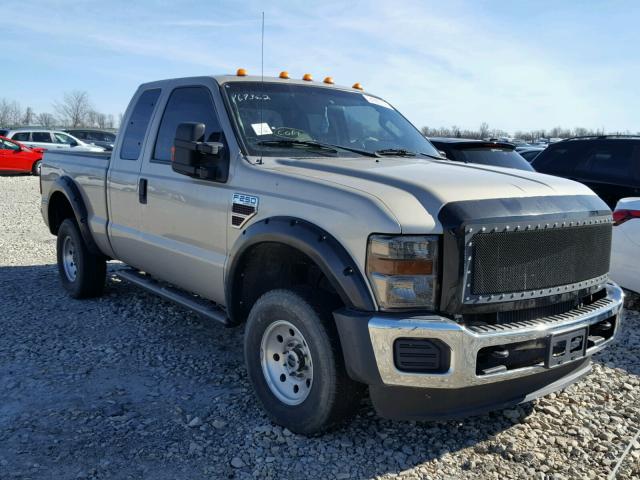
(286, 362)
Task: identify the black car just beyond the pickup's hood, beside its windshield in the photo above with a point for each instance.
(498, 154)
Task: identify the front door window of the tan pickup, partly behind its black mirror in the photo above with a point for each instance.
(186, 104)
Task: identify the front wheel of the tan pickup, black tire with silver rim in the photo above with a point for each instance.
(331, 395)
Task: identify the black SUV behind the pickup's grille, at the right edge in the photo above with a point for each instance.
(609, 165)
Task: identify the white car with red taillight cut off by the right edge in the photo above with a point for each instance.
(625, 251)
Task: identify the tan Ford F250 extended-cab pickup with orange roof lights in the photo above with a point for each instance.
(354, 255)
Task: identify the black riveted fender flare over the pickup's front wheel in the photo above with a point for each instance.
(320, 246)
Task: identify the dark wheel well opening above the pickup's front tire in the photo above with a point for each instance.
(271, 265)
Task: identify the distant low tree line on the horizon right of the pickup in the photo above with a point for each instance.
(485, 132)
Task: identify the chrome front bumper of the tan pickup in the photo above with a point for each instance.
(368, 346)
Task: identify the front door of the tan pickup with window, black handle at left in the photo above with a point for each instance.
(184, 219)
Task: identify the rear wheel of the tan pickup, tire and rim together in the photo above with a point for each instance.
(82, 274)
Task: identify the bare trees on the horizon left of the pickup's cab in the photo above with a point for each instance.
(73, 110)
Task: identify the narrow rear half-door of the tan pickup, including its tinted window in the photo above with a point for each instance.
(124, 170)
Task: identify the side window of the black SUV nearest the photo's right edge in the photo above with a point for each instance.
(611, 161)
